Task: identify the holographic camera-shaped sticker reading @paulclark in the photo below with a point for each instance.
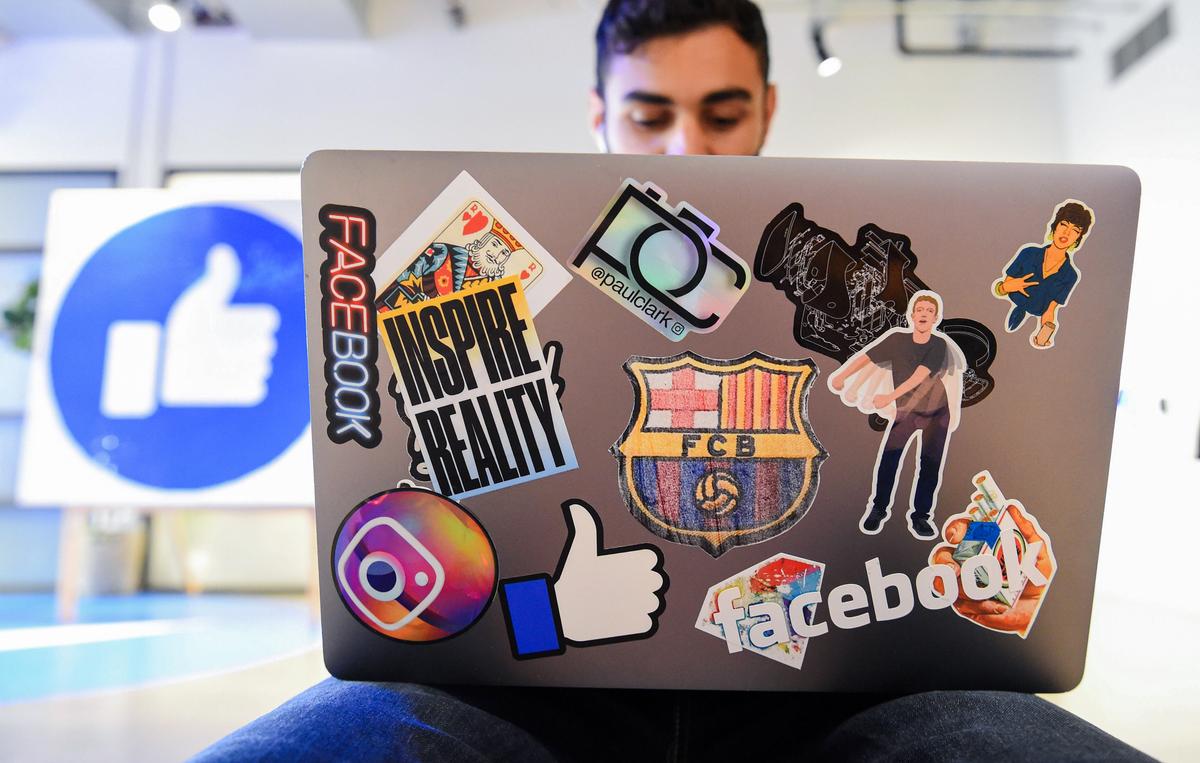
(665, 266)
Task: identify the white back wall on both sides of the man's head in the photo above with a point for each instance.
(514, 80)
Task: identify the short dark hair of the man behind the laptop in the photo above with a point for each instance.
(628, 25)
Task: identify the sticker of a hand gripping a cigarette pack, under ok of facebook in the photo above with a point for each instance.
(1001, 558)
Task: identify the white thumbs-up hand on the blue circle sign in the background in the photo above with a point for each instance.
(211, 353)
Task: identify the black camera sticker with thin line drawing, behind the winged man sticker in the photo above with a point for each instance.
(847, 296)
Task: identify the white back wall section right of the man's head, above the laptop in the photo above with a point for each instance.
(887, 106)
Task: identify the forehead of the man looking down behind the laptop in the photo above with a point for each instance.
(709, 64)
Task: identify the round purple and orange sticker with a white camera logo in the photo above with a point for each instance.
(413, 566)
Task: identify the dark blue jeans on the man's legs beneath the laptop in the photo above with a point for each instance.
(340, 720)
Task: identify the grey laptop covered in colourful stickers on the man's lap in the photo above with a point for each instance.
(712, 423)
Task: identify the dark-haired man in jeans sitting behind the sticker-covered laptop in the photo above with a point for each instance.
(674, 77)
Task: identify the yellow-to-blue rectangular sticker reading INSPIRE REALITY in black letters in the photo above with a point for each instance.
(477, 389)
